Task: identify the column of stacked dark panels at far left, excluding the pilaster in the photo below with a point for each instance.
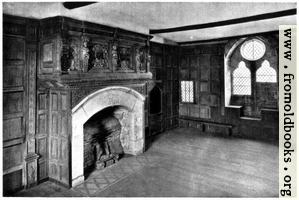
(14, 102)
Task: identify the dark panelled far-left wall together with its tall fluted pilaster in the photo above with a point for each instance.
(19, 76)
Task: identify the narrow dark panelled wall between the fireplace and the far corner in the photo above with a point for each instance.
(164, 67)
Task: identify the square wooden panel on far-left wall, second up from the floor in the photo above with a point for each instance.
(12, 156)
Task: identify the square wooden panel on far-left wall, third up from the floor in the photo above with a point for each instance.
(13, 128)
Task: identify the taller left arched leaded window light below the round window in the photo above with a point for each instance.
(242, 80)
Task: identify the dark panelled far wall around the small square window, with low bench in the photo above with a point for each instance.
(204, 64)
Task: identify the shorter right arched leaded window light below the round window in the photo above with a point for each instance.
(266, 74)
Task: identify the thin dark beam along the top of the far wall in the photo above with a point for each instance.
(227, 38)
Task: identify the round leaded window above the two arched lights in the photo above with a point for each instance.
(253, 49)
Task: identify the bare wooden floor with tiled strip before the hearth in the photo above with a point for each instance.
(183, 163)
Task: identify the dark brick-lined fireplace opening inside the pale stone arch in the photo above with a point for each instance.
(102, 139)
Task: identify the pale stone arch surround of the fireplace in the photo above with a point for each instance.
(97, 101)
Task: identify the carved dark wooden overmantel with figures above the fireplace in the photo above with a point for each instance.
(71, 46)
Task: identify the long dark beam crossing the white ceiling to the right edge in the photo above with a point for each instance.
(227, 22)
